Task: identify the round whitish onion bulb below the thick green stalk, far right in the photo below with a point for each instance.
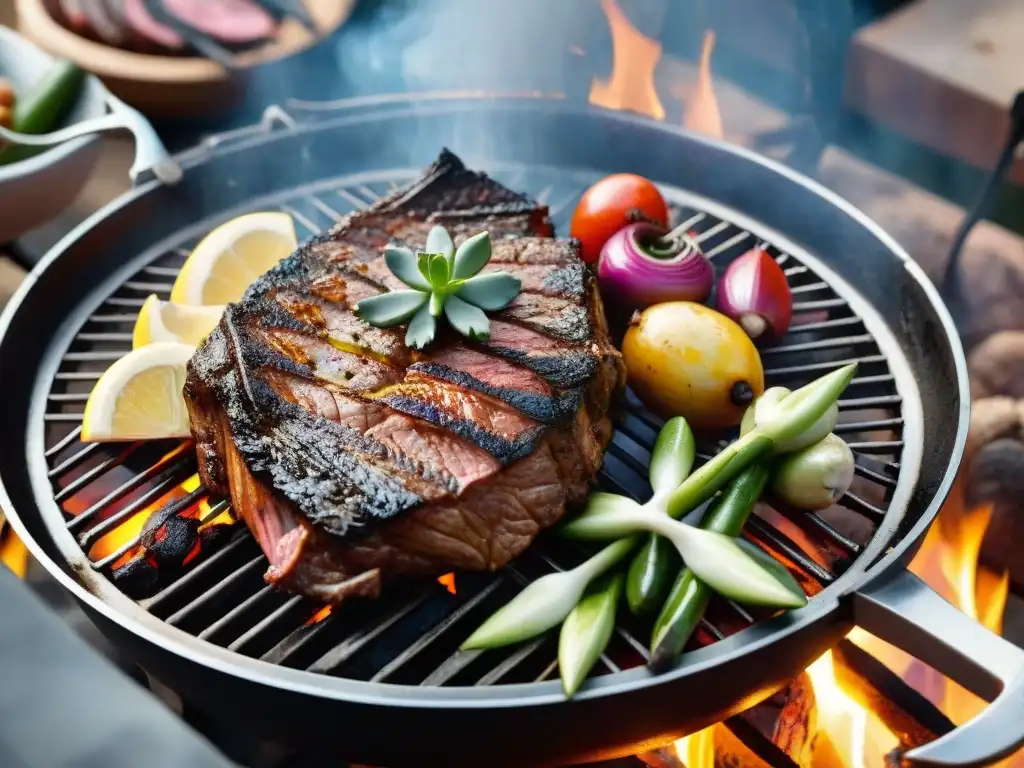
(818, 477)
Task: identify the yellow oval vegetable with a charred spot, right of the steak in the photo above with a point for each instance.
(687, 360)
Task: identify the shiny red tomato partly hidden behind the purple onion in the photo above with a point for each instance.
(612, 204)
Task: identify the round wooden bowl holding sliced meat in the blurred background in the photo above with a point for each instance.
(175, 87)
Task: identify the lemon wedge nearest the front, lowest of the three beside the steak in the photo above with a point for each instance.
(140, 397)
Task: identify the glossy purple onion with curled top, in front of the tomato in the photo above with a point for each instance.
(635, 272)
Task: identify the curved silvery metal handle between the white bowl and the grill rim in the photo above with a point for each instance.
(151, 156)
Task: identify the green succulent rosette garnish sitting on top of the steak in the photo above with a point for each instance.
(443, 280)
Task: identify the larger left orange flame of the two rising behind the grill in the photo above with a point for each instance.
(634, 60)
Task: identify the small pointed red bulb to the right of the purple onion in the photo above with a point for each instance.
(755, 293)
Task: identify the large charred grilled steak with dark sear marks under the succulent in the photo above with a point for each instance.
(354, 458)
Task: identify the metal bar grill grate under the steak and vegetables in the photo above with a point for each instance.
(411, 635)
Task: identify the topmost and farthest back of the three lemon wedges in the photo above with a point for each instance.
(230, 259)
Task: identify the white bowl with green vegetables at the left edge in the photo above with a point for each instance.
(37, 190)
